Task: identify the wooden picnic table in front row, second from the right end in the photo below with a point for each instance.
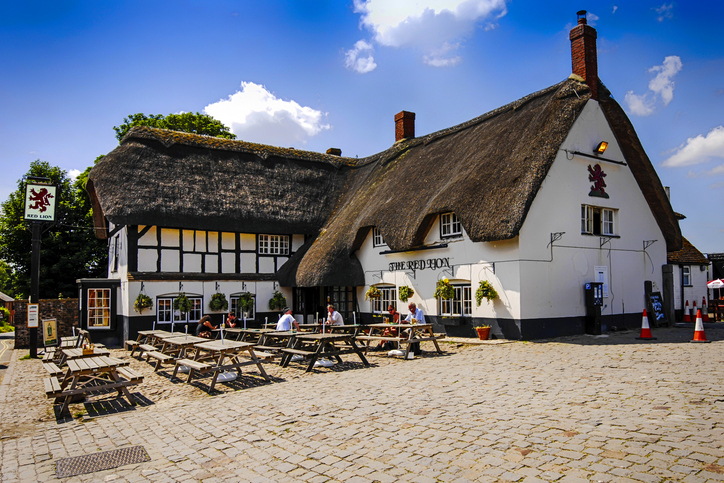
(316, 346)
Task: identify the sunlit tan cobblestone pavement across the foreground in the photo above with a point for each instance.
(565, 410)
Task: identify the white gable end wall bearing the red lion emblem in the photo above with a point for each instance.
(555, 289)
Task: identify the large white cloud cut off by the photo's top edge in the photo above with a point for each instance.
(433, 26)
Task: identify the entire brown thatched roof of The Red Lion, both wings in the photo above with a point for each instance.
(487, 170)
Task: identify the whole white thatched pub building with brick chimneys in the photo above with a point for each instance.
(537, 198)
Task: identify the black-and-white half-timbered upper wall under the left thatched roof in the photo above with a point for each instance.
(154, 249)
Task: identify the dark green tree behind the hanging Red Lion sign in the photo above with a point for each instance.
(69, 248)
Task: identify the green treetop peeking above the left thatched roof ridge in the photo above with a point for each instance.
(195, 123)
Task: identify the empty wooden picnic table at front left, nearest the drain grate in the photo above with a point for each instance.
(90, 374)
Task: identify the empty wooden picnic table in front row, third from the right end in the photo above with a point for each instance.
(211, 357)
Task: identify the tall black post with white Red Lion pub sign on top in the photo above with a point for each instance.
(40, 203)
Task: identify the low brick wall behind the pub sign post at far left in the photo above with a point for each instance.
(65, 311)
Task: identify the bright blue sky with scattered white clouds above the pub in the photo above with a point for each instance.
(321, 74)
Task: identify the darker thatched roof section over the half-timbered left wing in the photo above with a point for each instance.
(174, 179)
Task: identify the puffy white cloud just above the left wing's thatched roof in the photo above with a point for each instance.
(255, 114)
